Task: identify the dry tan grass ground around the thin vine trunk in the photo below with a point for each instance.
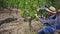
(19, 27)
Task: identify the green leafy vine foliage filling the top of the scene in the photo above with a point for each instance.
(28, 7)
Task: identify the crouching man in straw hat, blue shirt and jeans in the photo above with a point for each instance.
(50, 27)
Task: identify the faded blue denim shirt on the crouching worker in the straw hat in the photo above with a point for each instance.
(49, 20)
